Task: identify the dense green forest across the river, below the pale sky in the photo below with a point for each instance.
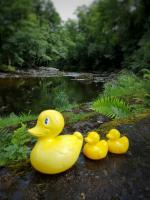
(107, 35)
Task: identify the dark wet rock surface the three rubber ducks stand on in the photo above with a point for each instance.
(124, 177)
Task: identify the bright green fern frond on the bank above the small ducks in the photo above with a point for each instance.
(112, 107)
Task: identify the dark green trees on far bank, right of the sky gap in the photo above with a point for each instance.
(110, 33)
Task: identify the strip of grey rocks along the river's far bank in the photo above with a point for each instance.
(43, 72)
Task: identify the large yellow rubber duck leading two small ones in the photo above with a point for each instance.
(53, 154)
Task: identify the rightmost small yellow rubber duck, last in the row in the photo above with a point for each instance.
(115, 143)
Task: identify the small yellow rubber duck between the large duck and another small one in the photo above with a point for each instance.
(95, 148)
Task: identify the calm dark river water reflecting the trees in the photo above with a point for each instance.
(19, 95)
